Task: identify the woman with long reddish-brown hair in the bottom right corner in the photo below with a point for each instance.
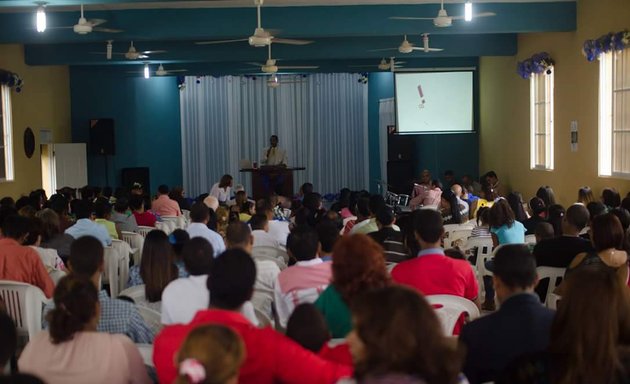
(590, 334)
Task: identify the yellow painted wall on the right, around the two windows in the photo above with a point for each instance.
(504, 107)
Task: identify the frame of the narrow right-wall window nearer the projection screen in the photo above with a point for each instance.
(548, 130)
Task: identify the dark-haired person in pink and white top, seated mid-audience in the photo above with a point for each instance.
(306, 279)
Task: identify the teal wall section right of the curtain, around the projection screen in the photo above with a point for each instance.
(438, 153)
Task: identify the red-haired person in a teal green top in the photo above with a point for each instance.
(358, 265)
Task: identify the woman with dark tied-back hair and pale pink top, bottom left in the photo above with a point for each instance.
(71, 351)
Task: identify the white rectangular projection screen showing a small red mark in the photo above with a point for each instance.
(434, 102)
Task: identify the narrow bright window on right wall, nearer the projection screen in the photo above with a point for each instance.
(541, 120)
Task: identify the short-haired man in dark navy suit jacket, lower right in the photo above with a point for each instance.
(520, 326)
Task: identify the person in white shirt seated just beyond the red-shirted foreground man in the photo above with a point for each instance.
(182, 298)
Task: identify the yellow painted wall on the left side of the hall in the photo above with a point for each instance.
(44, 103)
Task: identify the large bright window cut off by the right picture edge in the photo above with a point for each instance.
(614, 114)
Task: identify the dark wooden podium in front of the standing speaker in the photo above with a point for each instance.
(268, 179)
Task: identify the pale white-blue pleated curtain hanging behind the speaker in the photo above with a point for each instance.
(321, 121)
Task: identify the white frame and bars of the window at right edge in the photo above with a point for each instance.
(606, 116)
